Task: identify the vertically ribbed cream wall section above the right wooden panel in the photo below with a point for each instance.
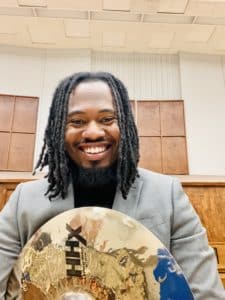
(145, 76)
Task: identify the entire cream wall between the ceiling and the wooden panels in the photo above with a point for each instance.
(157, 77)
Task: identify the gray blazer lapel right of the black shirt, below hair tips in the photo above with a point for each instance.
(129, 206)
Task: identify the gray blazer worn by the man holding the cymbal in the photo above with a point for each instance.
(155, 200)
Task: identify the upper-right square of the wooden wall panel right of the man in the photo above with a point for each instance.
(172, 118)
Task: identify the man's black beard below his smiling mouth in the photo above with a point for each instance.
(95, 177)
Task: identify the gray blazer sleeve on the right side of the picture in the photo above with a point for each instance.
(189, 245)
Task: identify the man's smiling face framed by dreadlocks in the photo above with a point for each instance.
(92, 133)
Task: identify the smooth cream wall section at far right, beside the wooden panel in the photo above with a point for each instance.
(203, 89)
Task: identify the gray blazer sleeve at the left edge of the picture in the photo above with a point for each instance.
(10, 245)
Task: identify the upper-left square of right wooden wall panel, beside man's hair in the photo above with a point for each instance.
(148, 118)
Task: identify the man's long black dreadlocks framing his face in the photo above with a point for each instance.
(53, 151)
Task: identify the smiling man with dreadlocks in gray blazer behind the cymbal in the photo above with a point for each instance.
(91, 149)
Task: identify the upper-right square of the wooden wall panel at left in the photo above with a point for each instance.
(25, 115)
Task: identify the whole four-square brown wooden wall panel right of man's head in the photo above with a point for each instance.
(165, 120)
